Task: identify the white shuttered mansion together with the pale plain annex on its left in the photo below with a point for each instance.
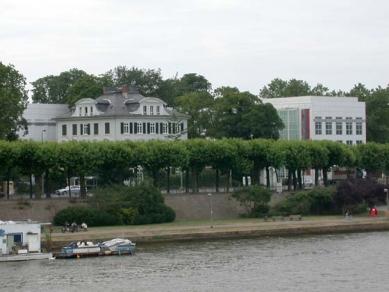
(119, 114)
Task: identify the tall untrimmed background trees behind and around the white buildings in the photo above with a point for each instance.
(223, 112)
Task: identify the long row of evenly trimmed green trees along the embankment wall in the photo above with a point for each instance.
(112, 160)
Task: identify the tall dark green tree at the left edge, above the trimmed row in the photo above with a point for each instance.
(13, 100)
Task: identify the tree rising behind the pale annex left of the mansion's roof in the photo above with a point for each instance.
(54, 89)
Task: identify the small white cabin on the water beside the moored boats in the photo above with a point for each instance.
(26, 236)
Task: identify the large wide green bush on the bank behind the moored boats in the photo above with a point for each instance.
(120, 205)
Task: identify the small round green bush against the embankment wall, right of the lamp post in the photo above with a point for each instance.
(254, 199)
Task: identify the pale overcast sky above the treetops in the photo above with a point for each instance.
(240, 43)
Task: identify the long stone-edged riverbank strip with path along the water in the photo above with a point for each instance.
(255, 228)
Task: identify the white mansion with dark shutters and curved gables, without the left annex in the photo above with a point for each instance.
(120, 115)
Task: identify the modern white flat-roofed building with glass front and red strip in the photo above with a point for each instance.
(341, 119)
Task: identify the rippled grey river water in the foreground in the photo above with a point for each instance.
(338, 262)
